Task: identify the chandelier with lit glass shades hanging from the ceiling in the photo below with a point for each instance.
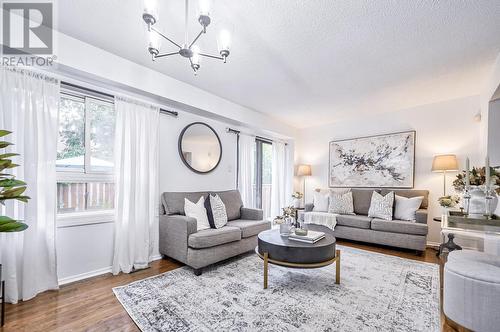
(187, 49)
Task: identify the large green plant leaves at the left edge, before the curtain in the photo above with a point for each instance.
(10, 187)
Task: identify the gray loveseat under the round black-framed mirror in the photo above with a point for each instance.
(180, 240)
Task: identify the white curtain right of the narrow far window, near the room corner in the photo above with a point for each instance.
(281, 178)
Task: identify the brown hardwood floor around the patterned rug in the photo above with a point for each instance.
(90, 305)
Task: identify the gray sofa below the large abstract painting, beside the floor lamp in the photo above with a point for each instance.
(395, 233)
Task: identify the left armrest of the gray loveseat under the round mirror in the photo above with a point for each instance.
(174, 234)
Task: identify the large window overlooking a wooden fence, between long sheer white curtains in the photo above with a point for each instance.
(85, 154)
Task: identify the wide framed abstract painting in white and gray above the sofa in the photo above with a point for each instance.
(375, 161)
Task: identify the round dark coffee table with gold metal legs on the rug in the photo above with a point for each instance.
(279, 250)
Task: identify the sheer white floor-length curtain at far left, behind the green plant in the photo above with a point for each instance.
(29, 107)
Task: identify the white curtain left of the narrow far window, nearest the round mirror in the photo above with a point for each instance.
(246, 177)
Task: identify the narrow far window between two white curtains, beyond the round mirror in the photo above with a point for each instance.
(263, 176)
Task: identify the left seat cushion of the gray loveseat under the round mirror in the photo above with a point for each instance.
(213, 237)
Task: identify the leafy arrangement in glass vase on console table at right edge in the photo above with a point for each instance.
(477, 179)
